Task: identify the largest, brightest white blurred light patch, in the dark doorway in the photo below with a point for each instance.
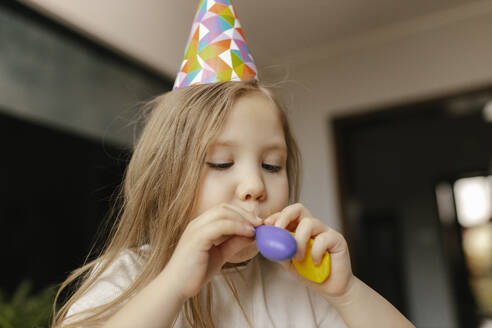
(473, 200)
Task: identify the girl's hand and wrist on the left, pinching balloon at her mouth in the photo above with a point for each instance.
(208, 242)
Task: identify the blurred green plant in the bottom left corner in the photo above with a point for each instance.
(24, 309)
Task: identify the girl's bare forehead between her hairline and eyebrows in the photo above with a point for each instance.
(254, 120)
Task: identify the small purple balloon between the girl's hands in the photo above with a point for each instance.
(275, 243)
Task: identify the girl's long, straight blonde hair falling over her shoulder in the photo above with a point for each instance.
(158, 193)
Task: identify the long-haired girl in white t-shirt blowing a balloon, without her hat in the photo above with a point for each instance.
(213, 162)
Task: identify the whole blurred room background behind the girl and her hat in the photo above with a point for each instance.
(390, 101)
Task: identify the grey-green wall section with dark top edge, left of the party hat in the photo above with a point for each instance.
(60, 79)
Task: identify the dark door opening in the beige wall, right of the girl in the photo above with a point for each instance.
(390, 162)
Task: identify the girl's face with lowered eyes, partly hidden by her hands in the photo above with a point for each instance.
(246, 164)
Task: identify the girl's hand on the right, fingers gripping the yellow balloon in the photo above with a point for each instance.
(298, 219)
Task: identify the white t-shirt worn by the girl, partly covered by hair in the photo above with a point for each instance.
(270, 296)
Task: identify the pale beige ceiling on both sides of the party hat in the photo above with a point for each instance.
(155, 31)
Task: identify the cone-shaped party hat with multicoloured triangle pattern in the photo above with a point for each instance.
(216, 50)
